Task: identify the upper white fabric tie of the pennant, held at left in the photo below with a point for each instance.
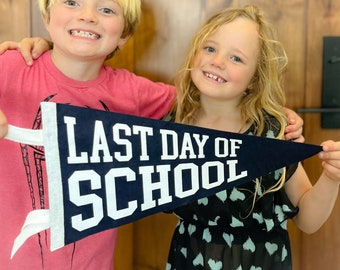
(26, 136)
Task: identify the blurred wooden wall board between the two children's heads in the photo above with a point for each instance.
(162, 38)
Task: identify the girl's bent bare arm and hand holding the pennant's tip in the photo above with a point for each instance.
(316, 202)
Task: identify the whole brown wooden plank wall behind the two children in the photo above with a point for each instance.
(157, 50)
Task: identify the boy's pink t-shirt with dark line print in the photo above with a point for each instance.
(23, 188)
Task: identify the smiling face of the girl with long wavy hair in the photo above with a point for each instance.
(225, 65)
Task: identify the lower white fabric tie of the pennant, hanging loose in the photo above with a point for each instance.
(36, 221)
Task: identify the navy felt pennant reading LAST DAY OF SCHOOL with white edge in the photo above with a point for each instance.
(108, 169)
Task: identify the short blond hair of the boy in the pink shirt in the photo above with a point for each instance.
(131, 9)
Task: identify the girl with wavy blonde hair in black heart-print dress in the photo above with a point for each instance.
(231, 81)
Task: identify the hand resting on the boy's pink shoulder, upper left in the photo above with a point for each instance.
(30, 48)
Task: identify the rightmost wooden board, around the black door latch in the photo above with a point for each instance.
(322, 249)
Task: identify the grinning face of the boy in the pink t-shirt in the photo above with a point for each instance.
(86, 28)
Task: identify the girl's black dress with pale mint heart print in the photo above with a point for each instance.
(227, 232)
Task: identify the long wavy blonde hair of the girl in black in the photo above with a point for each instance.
(265, 95)
